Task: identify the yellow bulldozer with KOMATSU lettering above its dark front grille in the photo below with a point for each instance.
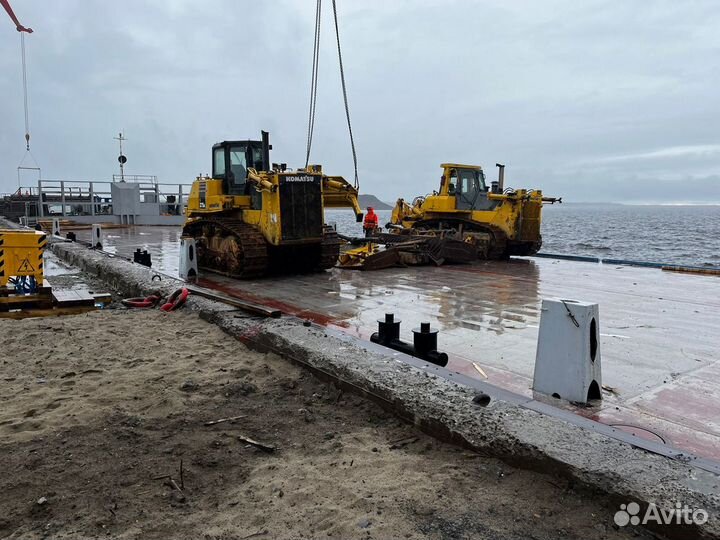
(253, 218)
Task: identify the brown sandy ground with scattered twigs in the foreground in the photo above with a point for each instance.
(97, 409)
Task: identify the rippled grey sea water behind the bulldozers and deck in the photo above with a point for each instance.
(667, 234)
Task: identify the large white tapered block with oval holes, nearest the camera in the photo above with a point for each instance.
(567, 363)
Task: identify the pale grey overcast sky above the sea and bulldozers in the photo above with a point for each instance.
(592, 100)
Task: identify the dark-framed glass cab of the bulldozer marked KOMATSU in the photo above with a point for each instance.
(232, 159)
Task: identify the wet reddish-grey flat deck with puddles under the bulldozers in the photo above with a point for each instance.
(660, 332)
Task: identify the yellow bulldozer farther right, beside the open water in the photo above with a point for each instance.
(500, 222)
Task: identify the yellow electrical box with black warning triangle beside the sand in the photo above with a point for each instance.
(21, 254)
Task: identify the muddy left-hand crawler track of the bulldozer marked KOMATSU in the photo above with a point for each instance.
(253, 246)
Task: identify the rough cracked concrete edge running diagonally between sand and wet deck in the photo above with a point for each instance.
(518, 436)
